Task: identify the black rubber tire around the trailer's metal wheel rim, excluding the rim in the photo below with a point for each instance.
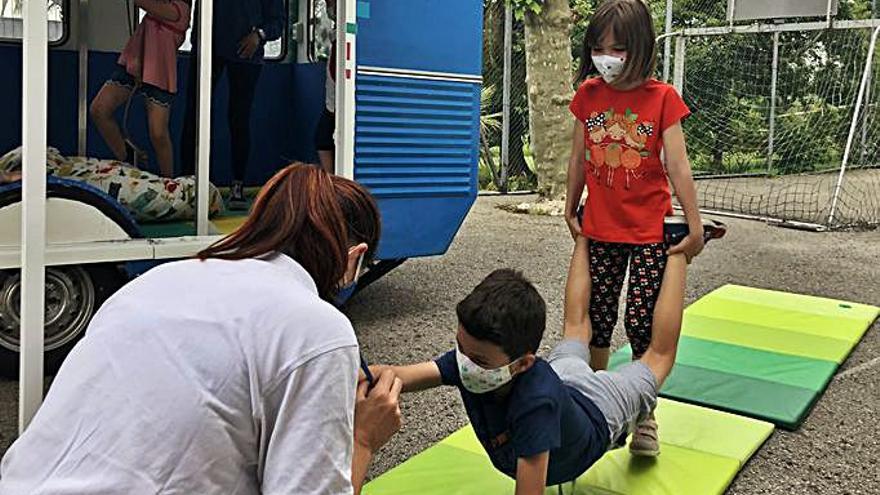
(103, 279)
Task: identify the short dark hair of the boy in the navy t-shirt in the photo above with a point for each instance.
(505, 309)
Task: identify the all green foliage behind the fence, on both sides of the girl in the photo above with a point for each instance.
(729, 133)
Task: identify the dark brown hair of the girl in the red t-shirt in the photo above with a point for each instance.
(632, 26)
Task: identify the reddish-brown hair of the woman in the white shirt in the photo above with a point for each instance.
(311, 216)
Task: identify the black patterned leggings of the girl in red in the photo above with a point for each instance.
(608, 264)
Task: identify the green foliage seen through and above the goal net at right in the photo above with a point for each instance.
(729, 76)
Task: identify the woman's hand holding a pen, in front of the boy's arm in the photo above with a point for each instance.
(377, 411)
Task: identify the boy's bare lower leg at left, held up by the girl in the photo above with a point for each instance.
(576, 323)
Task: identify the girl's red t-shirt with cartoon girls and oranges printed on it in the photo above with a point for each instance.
(627, 187)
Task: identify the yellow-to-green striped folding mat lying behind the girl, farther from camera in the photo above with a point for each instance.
(761, 353)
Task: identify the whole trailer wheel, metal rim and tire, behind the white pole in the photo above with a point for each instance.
(73, 295)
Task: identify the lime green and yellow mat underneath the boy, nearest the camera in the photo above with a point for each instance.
(701, 452)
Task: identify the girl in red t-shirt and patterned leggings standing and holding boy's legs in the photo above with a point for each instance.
(625, 119)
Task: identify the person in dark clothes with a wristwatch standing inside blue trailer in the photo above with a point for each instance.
(240, 31)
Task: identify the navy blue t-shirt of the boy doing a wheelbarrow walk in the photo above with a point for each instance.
(539, 414)
